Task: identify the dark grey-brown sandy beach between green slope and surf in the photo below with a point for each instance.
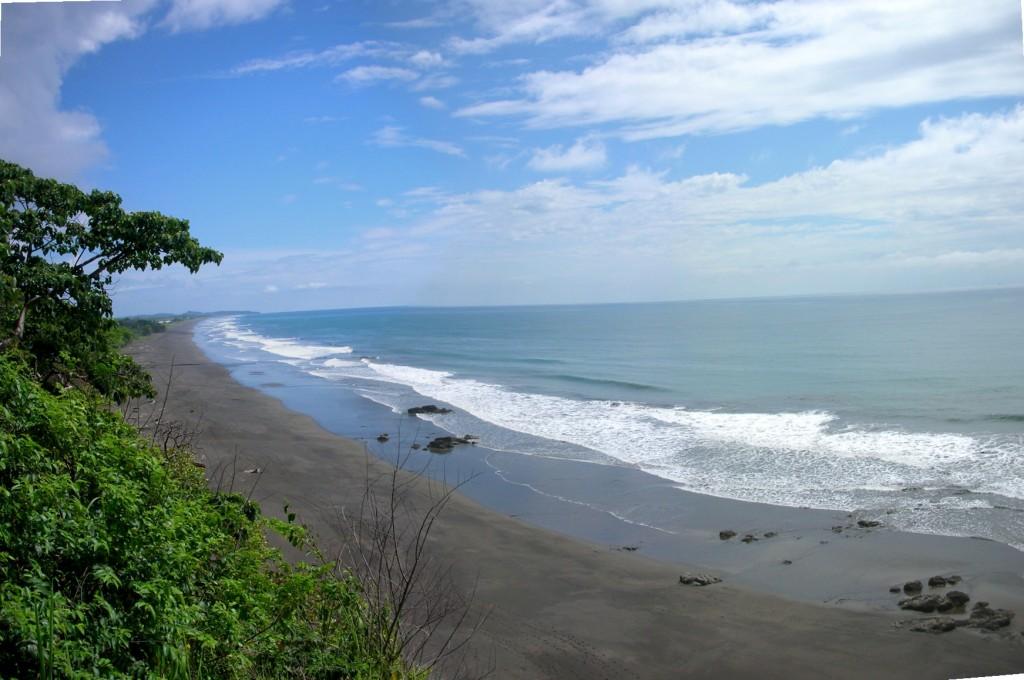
(564, 608)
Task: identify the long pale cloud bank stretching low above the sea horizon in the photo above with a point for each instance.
(943, 210)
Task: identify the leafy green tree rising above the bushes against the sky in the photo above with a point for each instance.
(61, 249)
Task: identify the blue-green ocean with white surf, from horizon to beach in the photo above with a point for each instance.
(906, 406)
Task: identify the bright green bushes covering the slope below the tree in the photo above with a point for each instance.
(117, 561)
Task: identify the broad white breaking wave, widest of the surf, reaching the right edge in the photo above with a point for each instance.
(803, 458)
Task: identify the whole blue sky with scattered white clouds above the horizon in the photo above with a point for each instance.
(362, 153)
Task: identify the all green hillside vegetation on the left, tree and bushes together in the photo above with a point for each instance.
(116, 559)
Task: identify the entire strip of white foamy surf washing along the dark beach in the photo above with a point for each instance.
(932, 483)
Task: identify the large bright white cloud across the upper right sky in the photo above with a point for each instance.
(742, 65)
